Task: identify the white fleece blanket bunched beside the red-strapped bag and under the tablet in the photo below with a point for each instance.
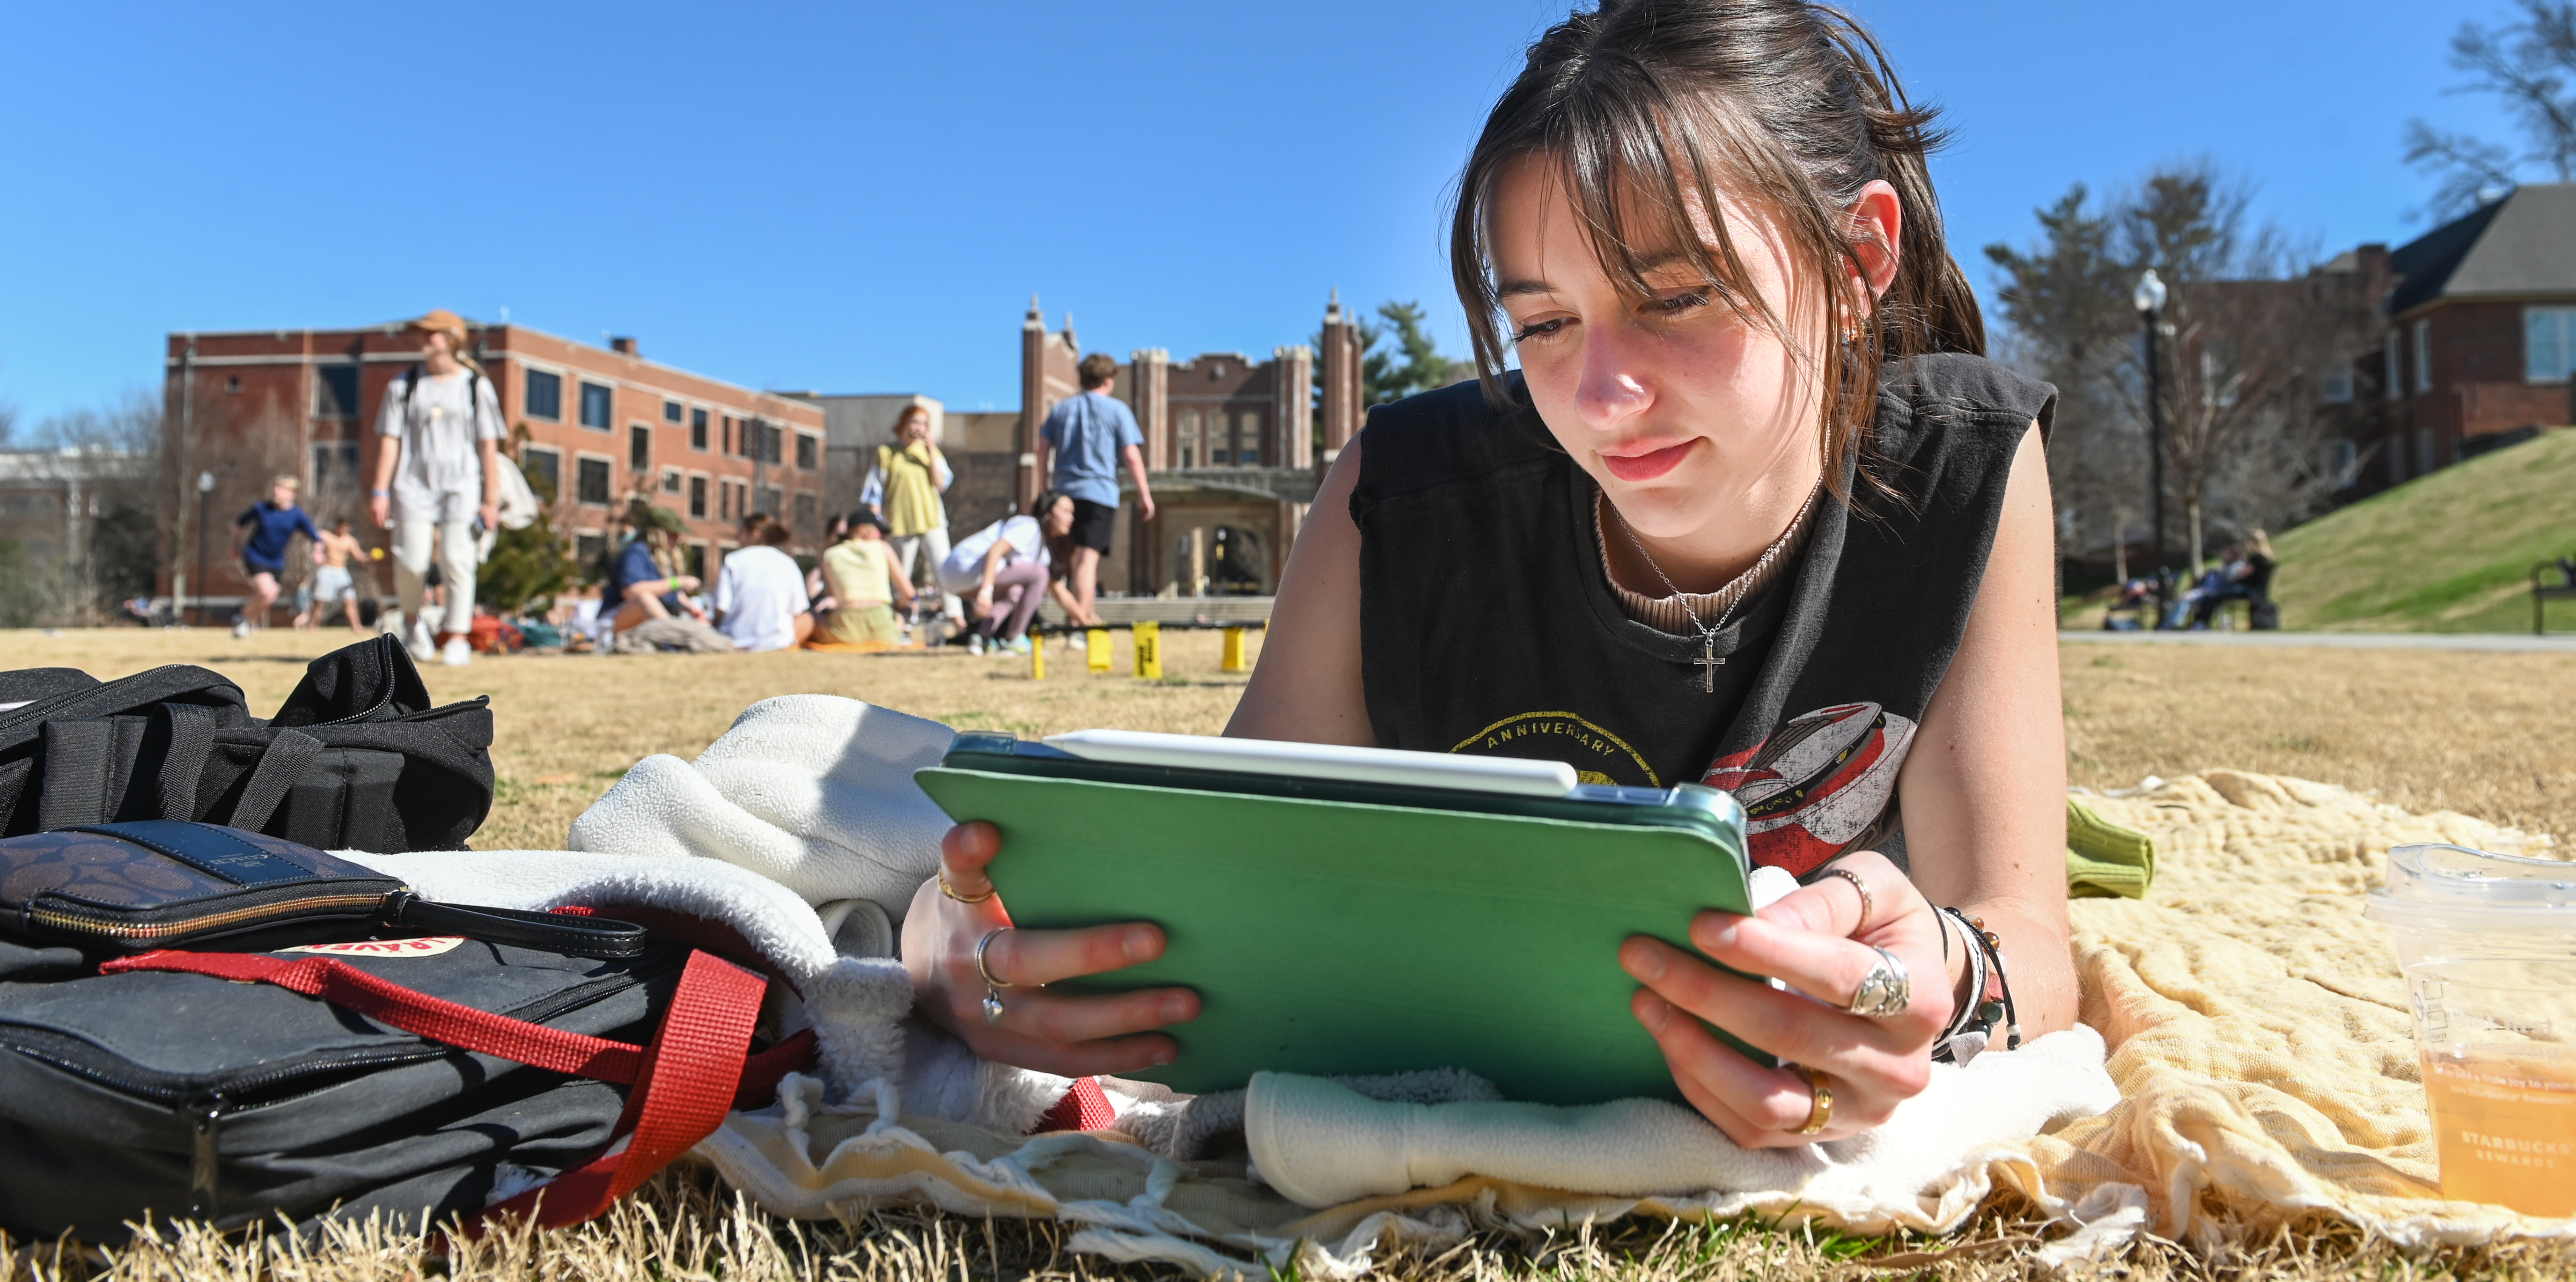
(802, 828)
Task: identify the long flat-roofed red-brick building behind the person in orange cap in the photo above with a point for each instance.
(594, 426)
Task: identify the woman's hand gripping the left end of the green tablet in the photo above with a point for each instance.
(1070, 1036)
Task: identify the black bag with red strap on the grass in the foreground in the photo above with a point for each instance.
(344, 1070)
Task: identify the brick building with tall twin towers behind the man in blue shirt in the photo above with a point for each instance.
(1233, 449)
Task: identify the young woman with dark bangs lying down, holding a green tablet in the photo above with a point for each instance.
(1753, 511)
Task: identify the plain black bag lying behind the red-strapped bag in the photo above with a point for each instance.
(354, 761)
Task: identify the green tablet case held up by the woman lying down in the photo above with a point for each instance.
(1364, 938)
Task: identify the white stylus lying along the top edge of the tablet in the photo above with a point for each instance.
(1323, 763)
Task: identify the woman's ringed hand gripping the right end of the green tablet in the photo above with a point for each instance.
(1817, 943)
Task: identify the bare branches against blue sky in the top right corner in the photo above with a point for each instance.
(2531, 68)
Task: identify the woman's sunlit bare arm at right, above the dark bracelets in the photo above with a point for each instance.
(1985, 786)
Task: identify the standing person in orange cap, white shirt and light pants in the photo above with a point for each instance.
(437, 475)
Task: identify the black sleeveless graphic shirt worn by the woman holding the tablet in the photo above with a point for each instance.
(1490, 627)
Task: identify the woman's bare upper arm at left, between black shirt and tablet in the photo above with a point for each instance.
(1307, 683)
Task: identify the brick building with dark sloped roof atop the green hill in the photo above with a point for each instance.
(2477, 341)
